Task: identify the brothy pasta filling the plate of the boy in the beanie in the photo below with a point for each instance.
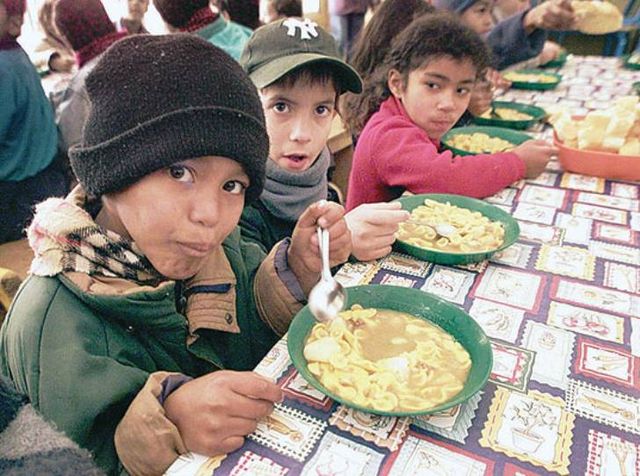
(387, 360)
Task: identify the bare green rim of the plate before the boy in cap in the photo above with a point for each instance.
(511, 229)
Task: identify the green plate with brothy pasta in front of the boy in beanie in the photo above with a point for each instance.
(395, 351)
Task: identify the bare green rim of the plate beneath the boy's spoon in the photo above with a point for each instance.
(418, 303)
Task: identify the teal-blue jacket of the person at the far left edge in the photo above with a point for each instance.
(28, 135)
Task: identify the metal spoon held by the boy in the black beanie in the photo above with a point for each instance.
(327, 298)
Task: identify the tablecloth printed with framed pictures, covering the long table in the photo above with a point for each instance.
(562, 309)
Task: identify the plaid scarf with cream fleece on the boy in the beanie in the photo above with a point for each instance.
(65, 238)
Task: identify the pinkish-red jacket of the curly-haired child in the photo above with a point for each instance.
(393, 155)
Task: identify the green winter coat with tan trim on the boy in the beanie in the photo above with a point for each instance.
(82, 355)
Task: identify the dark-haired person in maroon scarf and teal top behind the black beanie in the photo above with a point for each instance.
(195, 16)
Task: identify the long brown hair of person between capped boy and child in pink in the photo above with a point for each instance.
(389, 19)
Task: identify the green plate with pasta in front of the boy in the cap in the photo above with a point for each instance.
(475, 229)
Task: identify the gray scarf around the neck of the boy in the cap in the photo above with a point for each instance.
(287, 194)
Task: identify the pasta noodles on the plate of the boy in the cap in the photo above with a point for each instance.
(473, 232)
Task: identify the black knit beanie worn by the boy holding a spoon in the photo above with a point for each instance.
(157, 100)
